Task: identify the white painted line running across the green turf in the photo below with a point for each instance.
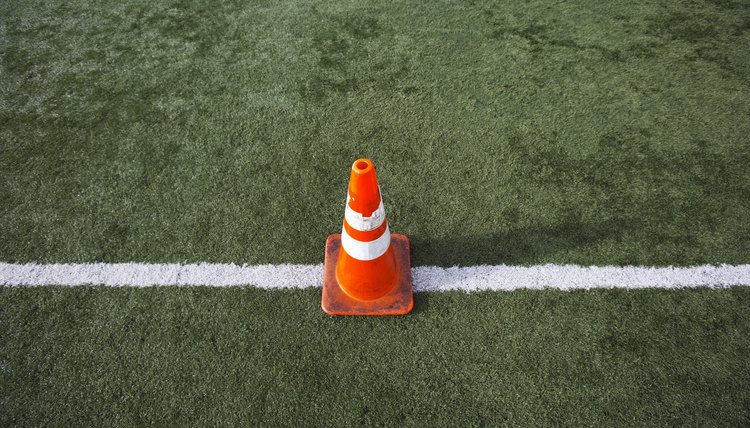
(426, 278)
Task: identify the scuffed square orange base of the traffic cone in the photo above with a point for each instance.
(398, 301)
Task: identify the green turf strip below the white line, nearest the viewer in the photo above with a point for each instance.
(198, 356)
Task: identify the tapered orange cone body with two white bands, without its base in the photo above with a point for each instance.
(366, 267)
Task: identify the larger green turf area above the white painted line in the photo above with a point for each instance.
(503, 132)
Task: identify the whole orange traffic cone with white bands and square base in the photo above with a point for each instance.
(367, 269)
